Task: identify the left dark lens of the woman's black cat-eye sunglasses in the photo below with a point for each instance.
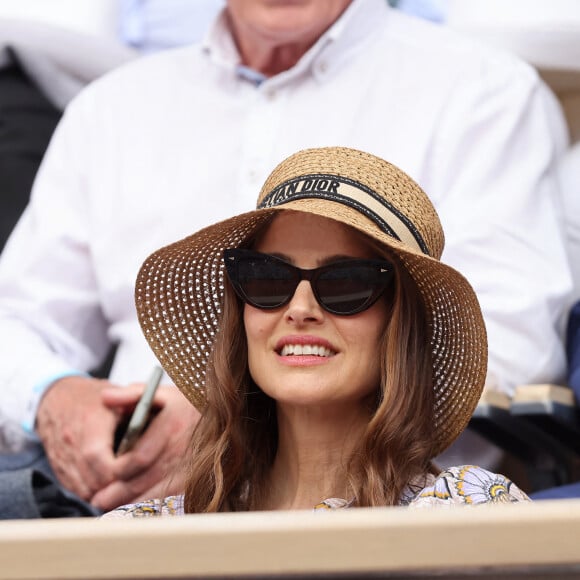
(266, 283)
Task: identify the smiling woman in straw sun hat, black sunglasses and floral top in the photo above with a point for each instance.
(330, 351)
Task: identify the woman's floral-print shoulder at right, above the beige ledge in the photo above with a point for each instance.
(465, 484)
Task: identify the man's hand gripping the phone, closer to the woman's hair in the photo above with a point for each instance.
(153, 467)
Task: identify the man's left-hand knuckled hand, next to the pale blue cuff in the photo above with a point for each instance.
(77, 430)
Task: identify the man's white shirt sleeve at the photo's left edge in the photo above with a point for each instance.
(51, 321)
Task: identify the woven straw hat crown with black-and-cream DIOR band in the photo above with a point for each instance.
(381, 192)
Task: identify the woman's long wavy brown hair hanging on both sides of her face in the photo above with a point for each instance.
(234, 444)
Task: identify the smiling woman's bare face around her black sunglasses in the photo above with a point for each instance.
(347, 367)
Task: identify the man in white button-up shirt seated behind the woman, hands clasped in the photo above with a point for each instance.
(171, 143)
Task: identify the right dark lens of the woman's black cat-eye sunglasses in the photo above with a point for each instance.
(350, 289)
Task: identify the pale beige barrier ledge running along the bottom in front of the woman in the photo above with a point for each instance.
(381, 542)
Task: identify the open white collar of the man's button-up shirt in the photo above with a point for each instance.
(360, 20)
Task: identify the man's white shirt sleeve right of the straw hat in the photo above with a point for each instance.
(493, 172)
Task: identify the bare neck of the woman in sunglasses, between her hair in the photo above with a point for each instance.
(312, 457)
